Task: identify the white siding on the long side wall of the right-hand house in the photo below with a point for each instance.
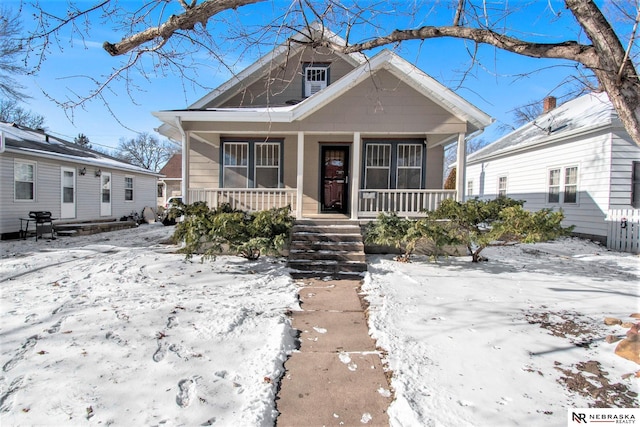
(527, 179)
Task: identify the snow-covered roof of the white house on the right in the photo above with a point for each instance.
(580, 115)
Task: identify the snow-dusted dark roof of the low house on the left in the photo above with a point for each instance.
(19, 139)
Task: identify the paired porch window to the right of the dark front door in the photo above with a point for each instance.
(393, 165)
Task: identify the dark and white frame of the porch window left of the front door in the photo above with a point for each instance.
(250, 166)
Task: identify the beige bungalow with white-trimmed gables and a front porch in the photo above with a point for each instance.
(330, 134)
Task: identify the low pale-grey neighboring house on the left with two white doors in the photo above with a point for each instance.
(39, 172)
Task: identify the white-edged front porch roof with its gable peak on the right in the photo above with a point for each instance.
(386, 59)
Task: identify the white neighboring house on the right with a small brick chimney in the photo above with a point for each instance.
(576, 157)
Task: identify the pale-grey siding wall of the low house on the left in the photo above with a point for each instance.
(48, 191)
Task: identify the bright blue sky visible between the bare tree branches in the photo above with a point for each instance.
(502, 82)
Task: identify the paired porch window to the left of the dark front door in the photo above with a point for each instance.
(252, 164)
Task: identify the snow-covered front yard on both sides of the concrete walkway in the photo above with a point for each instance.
(117, 328)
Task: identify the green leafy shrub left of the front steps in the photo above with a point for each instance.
(211, 231)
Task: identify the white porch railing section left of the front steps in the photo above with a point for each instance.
(246, 199)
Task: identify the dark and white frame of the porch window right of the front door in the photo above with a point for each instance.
(394, 148)
